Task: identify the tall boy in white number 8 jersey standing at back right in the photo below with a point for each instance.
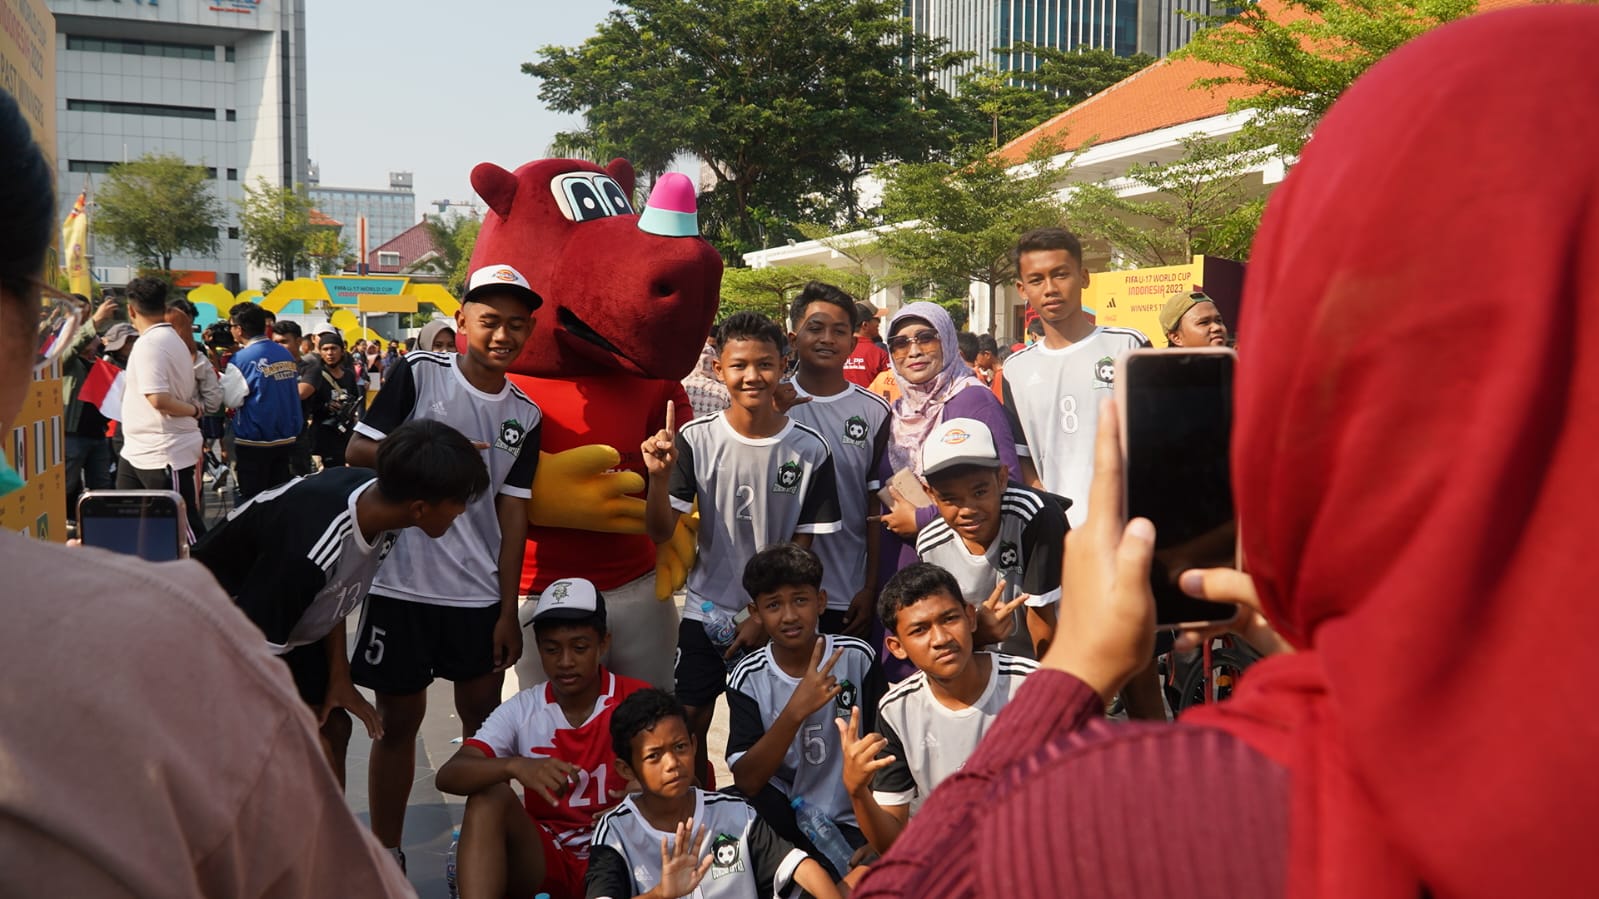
(1053, 388)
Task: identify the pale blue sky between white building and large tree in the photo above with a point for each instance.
(433, 87)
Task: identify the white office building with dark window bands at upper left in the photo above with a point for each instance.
(217, 82)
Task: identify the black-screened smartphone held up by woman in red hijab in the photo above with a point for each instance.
(1176, 438)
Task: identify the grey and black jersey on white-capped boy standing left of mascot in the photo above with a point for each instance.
(461, 567)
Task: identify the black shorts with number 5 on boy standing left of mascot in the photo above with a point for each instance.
(404, 645)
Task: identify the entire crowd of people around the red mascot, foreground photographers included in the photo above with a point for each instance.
(919, 610)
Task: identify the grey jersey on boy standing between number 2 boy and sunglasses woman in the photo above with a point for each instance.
(856, 428)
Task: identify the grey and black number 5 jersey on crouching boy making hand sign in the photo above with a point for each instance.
(815, 765)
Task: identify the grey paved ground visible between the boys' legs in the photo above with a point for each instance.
(431, 817)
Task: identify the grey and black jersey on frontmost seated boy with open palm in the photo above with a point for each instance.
(749, 861)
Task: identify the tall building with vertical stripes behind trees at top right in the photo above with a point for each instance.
(984, 26)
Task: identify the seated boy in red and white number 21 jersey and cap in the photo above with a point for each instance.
(554, 740)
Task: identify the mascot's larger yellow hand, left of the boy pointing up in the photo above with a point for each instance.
(580, 490)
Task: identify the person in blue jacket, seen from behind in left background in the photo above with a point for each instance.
(268, 420)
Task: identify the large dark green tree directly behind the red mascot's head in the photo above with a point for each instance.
(786, 103)
